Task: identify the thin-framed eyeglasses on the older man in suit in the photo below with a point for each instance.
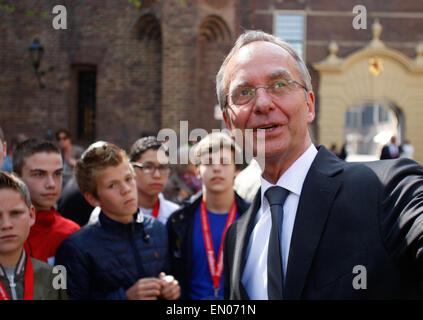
(278, 88)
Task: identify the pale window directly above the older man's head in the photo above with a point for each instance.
(290, 28)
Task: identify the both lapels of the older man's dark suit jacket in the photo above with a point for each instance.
(320, 187)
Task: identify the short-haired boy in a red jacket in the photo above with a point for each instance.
(39, 164)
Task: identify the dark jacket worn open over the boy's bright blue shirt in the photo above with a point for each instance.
(180, 227)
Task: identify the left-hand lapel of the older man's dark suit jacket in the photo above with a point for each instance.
(244, 227)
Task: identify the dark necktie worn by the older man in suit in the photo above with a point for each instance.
(276, 197)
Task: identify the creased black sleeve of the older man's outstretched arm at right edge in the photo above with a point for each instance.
(401, 212)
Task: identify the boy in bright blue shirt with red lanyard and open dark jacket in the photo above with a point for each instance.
(196, 232)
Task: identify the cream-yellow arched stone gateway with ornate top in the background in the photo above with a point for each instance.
(373, 75)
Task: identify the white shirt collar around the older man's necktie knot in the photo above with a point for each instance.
(293, 178)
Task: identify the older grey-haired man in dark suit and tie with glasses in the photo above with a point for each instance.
(345, 230)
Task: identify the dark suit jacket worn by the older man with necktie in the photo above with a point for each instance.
(349, 214)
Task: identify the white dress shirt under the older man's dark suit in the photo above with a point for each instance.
(254, 277)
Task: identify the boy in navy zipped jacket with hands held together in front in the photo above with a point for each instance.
(124, 255)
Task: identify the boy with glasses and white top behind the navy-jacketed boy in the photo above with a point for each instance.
(151, 176)
